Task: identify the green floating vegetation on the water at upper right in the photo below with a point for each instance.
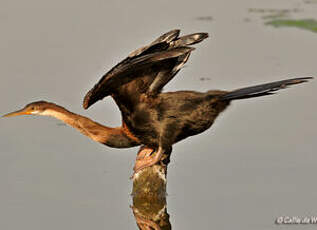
(307, 24)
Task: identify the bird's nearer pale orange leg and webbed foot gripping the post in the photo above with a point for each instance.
(148, 160)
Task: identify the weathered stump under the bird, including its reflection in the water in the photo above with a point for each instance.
(149, 195)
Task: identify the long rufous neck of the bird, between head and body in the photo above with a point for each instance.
(112, 137)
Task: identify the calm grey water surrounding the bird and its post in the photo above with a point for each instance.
(256, 163)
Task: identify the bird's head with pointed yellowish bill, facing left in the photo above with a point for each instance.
(34, 108)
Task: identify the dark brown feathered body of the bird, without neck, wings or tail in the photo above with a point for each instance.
(173, 116)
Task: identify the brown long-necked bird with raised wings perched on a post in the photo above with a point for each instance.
(151, 118)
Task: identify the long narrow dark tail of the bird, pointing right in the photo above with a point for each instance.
(262, 90)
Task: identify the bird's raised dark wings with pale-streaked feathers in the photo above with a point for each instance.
(147, 69)
